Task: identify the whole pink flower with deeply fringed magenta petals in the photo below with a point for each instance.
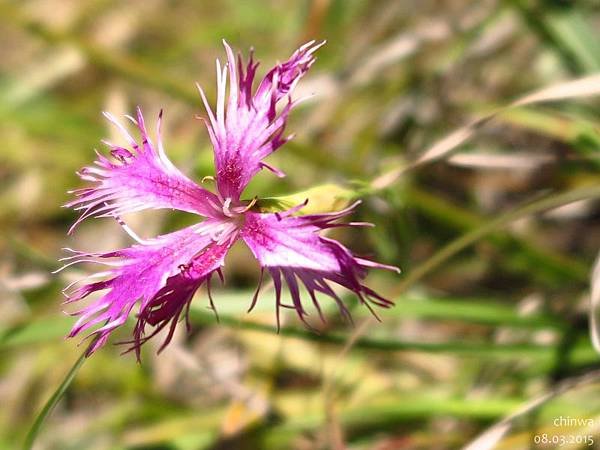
(163, 273)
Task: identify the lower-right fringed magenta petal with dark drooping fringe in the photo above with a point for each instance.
(291, 246)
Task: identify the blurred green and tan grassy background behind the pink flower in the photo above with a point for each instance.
(474, 335)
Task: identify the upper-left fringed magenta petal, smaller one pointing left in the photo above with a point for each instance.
(139, 178)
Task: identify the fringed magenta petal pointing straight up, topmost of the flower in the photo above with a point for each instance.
(247, 127)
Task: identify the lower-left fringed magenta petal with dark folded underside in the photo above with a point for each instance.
(162, 273)
